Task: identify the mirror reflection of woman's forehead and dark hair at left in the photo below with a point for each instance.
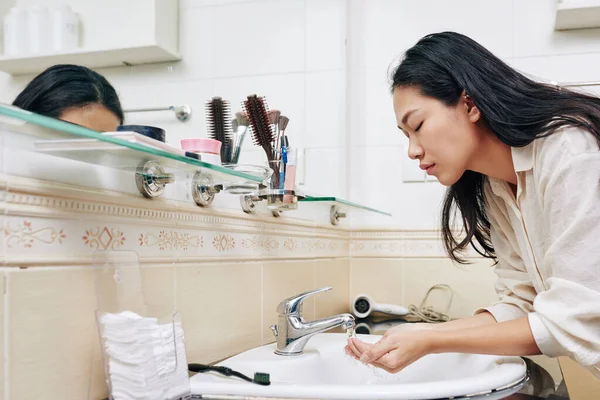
(74, 94)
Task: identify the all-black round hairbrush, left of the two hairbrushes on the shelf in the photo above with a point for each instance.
(218, 118)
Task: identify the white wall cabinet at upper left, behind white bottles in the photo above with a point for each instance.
(113, 33)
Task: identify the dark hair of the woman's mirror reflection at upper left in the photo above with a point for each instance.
(65, 86)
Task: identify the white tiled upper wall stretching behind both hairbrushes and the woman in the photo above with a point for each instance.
(294, 52)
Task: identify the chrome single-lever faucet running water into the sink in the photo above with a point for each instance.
(293, 332)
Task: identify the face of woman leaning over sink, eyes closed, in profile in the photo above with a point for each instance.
(443, 138)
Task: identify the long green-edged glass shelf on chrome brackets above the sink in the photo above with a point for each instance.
(50, 141)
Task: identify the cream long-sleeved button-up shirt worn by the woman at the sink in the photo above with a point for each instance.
(547, 241)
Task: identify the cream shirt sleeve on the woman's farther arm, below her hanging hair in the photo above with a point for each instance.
(515, 290)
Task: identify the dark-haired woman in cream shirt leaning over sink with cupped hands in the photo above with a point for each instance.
(521, 161)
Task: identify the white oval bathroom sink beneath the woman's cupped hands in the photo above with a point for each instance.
(324, 371)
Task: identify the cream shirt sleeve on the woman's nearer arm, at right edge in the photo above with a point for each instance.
(566, 317)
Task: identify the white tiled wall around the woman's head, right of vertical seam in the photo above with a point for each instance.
(520, 32)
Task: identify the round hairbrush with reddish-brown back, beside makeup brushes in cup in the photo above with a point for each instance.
(263, 135)
